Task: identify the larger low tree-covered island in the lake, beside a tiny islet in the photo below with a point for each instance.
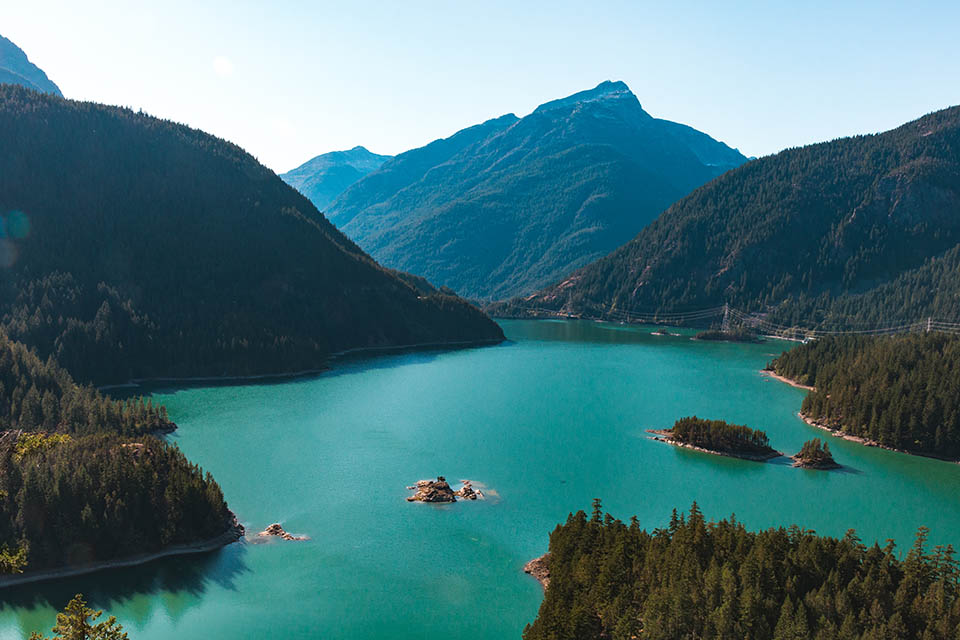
(719, 437)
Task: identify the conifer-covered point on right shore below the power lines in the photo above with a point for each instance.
(899, 391)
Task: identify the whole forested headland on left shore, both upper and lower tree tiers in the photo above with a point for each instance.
(85, 484)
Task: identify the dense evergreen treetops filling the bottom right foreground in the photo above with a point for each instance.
(716, 580)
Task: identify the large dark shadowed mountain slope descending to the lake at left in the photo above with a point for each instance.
(135, 247)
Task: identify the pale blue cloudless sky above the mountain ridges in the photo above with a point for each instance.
(289, 79)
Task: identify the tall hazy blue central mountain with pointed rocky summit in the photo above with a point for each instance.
(514, 203)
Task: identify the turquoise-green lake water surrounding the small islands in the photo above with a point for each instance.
(548, 421)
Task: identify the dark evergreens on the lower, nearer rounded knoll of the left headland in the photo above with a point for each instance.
(99, 497)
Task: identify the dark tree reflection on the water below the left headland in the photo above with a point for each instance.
(178, 582)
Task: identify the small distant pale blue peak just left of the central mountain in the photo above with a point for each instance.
(326, 176)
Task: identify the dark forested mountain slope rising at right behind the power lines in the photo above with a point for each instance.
(857, 230)
